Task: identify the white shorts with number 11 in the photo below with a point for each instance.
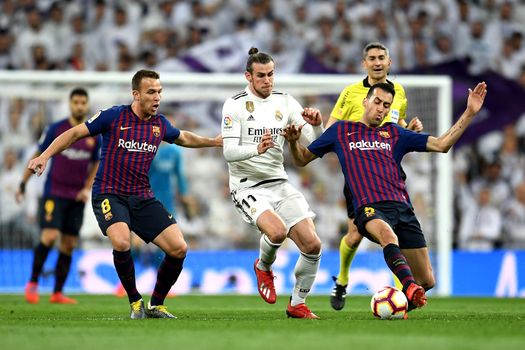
(281, 197)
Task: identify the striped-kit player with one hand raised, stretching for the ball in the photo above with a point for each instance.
(370, 155)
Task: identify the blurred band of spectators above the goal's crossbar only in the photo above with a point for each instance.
(170, 35)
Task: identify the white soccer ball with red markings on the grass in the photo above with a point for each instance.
(389, 303)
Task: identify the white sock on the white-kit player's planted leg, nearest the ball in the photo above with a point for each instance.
(305, 272)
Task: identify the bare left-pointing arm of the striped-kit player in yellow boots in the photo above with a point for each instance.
(63, 141)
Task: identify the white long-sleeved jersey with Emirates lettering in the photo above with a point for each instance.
(245, 118)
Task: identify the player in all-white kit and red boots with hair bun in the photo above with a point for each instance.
(252, 123)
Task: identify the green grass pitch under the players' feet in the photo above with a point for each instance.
(246, 322)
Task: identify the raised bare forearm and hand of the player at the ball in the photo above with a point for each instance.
(475, 101)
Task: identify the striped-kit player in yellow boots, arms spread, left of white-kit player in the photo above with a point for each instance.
(122, 197)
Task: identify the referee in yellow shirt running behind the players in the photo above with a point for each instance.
(349, 106)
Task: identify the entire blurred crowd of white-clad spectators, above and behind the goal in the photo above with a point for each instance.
(303, 37)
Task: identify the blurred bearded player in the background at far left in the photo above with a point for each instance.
(66, 191)
